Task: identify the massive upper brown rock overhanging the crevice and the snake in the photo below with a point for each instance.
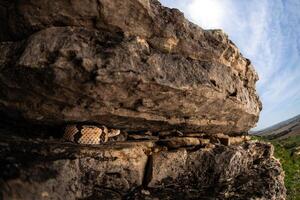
(129, 64)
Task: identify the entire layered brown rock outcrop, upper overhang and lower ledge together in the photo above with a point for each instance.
(183, 98)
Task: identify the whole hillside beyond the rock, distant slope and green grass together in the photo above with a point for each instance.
(285, 137)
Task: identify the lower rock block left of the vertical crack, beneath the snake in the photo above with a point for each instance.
(74, 172)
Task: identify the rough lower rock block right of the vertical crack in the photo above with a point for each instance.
(232, 172)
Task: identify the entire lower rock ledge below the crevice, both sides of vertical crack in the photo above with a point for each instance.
(51, 169)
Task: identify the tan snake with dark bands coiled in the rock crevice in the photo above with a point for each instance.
(89, 134)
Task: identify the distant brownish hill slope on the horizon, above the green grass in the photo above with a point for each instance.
(290, 127)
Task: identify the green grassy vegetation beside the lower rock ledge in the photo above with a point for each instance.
(286, 151)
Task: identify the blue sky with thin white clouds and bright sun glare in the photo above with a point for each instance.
(268, 33)
